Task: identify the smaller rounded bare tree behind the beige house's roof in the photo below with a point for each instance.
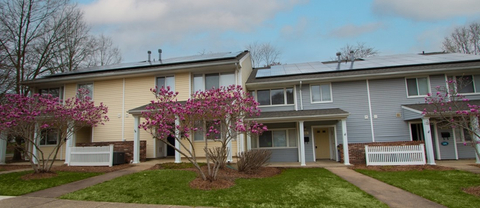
(104, 52)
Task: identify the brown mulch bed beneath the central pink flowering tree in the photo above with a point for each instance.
(226, 177)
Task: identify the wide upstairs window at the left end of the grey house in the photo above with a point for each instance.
(282, 96)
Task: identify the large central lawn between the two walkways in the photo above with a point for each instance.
(303, 187)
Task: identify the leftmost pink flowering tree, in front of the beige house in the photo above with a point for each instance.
(32, 118)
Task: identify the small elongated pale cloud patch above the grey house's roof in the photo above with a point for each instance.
(351, 30)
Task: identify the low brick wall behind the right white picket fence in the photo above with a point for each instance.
(357, 150)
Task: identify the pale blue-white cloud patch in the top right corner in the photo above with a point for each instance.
(427, 10)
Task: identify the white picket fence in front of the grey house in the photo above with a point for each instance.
(395, 155)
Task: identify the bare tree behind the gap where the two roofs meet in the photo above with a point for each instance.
(264, 54)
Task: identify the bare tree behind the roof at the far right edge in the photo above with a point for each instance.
(464, 39)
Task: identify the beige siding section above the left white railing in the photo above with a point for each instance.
(110, 93)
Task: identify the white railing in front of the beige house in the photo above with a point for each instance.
(91, 156)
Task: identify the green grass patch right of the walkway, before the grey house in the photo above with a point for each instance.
(444, 187)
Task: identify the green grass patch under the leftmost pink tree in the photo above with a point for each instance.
(11, 184)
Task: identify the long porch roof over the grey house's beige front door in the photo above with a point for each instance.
(301, 115)
